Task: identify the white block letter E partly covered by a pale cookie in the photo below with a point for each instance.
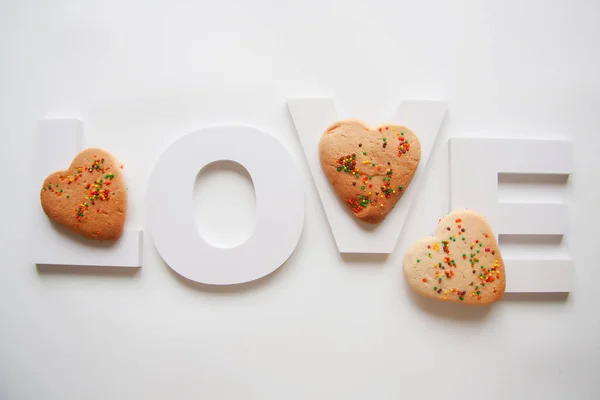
(475, 165)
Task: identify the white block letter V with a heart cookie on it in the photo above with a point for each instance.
(312, 116)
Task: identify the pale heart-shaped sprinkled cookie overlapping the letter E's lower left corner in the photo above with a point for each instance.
(461, 263)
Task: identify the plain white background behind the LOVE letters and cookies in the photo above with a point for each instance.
(141, 73)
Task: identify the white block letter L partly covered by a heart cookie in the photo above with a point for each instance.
(58, 141)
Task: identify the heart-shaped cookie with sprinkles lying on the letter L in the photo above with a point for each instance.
(89, 198)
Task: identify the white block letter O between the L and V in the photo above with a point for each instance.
(279, 205)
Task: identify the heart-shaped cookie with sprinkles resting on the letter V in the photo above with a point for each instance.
(369, 168)
